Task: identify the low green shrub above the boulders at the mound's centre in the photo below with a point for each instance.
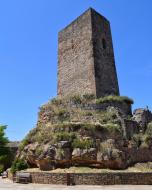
(83, 144)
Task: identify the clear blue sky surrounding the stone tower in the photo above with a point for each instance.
(28, 53)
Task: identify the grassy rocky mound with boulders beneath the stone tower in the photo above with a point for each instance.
(75, 136)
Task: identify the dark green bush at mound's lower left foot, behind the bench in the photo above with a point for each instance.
(18, 165)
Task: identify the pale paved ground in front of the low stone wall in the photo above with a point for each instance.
(8, 185)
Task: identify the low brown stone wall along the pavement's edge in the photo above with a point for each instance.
(92, 178)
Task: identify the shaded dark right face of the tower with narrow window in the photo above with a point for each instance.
(104, 62)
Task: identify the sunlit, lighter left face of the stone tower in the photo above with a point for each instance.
(75, 57)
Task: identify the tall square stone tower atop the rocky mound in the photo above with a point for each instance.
(86, 58)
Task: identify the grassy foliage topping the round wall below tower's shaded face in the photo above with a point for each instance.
(114, 99)
